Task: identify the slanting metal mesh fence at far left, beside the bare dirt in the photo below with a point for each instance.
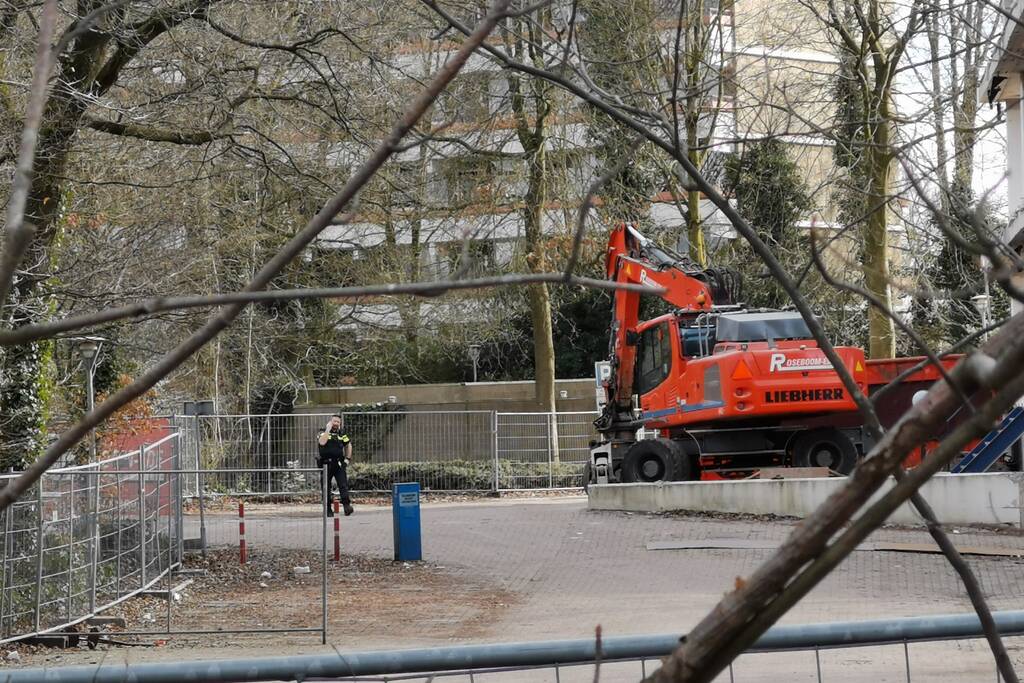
(84, 538)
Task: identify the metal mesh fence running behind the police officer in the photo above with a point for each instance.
(444, 451)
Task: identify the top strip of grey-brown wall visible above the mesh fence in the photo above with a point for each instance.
(501, 397)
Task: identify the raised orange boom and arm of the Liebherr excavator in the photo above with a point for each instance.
(634, 260)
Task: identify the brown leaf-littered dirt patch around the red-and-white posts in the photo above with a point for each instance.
(366, 597)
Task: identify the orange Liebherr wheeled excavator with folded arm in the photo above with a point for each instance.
(724, 390)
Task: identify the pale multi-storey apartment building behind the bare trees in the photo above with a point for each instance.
(455, 204)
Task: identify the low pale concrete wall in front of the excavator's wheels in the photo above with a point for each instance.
(958, 499)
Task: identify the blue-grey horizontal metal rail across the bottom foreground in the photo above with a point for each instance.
(471, 659)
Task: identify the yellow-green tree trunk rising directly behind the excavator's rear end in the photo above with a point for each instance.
(882, 340)
